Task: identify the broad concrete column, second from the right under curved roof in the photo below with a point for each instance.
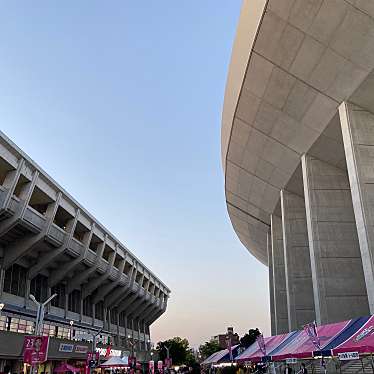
(338, 280)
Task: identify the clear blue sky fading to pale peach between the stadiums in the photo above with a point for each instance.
(120, 102)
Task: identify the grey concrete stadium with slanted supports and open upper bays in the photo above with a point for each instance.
(50, 244)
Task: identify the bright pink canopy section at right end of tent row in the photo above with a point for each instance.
(362, 341)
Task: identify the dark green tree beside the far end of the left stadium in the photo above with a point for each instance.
(179, 350)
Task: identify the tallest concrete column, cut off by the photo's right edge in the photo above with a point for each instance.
(358, 137)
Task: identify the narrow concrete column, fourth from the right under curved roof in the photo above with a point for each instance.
(279, 279)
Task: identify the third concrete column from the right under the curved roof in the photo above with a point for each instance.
(298, 271)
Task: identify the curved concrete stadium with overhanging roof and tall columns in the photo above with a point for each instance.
(298, 154)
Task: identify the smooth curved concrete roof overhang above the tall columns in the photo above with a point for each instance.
(293, 63)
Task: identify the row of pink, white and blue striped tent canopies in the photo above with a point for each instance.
(354, 336)
